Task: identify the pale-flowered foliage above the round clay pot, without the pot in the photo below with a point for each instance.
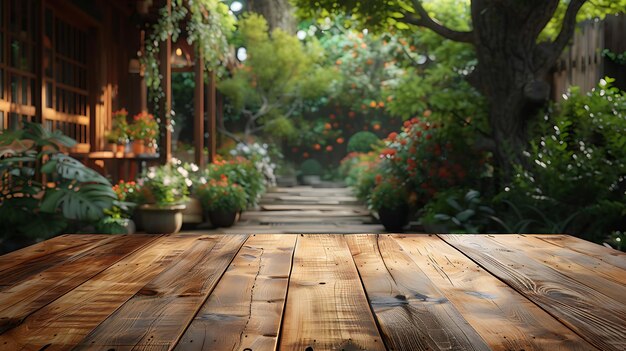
(165, 185)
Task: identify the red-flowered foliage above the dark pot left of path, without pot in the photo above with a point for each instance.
(221, 195)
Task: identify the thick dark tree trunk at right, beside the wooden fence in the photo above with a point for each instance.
(508, 73)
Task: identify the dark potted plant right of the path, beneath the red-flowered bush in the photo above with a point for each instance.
(390, 200)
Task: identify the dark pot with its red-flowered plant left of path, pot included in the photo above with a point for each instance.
(222, 200)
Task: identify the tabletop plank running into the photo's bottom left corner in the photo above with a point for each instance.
(64, 322)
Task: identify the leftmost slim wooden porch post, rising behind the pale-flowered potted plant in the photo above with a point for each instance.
(166, 102)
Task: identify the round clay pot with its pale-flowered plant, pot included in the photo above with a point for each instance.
(164, 191)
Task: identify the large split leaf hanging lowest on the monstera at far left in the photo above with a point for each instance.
(85, 202)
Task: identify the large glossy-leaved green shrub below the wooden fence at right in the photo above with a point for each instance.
(574, 179)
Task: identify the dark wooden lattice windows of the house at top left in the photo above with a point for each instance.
(63, 68)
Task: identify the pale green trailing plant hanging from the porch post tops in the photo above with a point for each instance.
(208, 25)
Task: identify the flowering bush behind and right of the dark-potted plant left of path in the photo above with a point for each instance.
(241, 171)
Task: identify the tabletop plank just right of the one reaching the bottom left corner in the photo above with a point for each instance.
(156, 317)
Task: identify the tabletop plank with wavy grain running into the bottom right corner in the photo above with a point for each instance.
(597, 318)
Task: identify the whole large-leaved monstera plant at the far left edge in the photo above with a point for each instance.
(73, 198)
